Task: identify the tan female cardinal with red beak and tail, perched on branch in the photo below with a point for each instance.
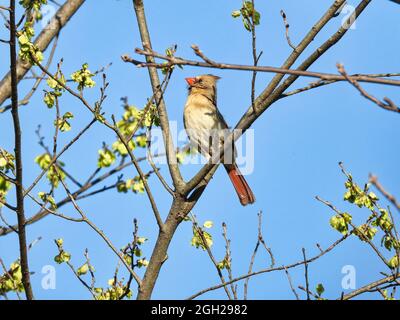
(203, 121)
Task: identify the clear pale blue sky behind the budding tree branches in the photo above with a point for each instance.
(298, 144)
